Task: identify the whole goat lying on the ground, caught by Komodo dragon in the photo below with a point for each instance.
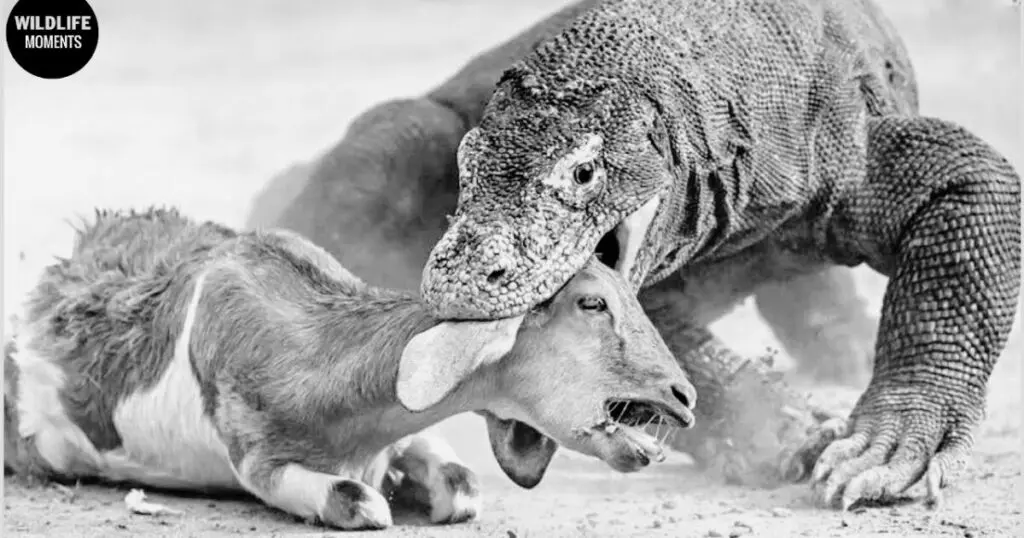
(188, 356)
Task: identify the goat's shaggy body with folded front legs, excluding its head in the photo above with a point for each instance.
(187, 356)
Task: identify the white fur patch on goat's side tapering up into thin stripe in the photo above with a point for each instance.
(166, 438)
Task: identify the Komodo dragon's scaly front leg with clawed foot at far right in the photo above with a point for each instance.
(940, 214)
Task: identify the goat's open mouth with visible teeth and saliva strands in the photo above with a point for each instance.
(633, 420)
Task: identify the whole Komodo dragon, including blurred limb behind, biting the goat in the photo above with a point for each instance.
(380, 197)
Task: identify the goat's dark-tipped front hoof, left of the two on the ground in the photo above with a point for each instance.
(353, 506)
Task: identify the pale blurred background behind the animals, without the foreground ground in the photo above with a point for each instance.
(198, 104)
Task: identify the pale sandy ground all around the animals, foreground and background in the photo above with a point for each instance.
(197, 104)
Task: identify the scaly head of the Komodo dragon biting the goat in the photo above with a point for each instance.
(525, 226)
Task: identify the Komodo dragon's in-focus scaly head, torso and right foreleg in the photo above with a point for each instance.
(758, 136)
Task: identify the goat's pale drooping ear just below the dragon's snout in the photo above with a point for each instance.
(439, 359)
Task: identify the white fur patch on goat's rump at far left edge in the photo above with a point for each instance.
(61, 443)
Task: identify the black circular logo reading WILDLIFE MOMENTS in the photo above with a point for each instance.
(53, 39)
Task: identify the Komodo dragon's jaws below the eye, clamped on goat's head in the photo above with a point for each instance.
(517, 277)
